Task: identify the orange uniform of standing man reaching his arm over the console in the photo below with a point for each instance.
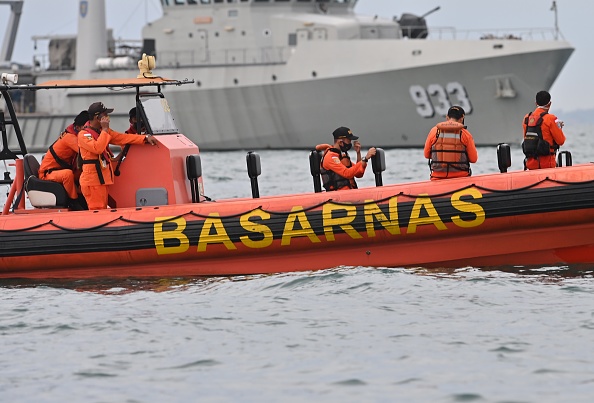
(97, 172)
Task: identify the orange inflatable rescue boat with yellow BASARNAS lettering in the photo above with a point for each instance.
(160, 223)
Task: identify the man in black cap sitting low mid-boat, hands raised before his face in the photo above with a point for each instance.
(338, 172)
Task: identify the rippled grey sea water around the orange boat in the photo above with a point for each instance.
(347, 334)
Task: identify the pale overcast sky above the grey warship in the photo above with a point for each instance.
(574, 89)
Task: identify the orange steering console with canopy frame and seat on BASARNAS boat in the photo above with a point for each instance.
(146, 175)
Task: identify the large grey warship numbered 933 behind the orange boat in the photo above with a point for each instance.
(284, 74)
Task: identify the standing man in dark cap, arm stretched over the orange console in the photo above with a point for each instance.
(94, 140)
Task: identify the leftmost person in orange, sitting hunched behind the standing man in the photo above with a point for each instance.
(59, 162)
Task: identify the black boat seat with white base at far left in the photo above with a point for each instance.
(42, 193)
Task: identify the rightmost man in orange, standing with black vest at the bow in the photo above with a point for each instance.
(539, 126)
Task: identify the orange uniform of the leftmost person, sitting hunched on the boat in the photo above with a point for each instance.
(66, 149)
